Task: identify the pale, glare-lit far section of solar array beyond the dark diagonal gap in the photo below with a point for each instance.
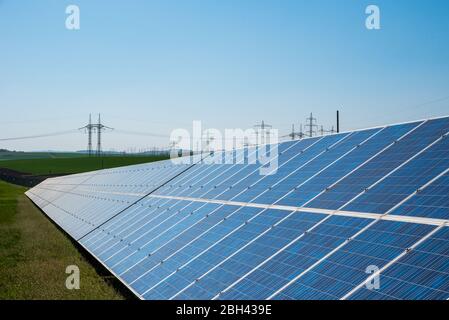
(81, 203)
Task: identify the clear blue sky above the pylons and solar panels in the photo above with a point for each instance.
(158, 65)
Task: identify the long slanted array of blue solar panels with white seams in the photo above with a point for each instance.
(341, 212)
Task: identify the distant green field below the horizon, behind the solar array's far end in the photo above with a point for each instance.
(74, 165)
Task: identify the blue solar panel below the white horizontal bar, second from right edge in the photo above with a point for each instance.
(347, 267)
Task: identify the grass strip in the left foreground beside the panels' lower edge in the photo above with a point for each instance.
(34, 255)
